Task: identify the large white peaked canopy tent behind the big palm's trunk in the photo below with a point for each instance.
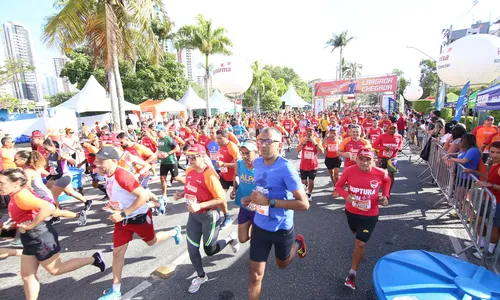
(92, 98)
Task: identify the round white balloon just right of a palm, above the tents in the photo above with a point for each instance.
(232, 76)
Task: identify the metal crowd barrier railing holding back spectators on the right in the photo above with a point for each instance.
(473, 205)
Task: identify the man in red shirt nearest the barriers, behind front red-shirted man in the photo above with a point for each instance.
(388, 145)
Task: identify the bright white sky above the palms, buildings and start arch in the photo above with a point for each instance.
(293, 33)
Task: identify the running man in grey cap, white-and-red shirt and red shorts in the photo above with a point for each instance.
(130, 214)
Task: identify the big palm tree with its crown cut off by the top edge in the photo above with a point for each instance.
(109, 28)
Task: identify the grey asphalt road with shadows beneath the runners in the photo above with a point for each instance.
(402, 225)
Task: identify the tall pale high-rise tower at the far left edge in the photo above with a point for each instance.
(16, 42)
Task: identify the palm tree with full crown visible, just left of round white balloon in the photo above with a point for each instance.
(208, 41)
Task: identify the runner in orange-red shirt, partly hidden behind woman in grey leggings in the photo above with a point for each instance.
(226, 161)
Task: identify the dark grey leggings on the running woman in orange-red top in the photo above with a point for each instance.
(204, 224)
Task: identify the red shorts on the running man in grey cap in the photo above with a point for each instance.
(123, 234)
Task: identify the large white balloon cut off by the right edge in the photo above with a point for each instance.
(474, 58)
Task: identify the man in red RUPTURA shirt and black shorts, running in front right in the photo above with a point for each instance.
(364, 181)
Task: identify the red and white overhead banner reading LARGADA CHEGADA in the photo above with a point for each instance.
(353, 86)
